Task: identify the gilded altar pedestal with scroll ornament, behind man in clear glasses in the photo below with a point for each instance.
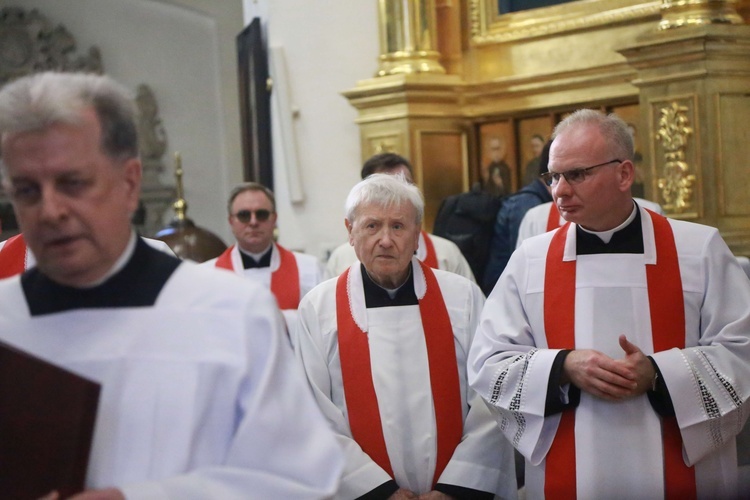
(693, 72)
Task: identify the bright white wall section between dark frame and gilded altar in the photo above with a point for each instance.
(327, 46)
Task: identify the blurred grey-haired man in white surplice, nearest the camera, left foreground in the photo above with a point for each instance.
(200, 394)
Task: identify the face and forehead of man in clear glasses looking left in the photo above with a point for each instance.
(602, 200)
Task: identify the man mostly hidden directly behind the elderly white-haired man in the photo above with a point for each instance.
(435, 251)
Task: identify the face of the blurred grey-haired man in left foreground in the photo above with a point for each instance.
(73, 203)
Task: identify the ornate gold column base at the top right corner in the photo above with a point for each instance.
(677, 13)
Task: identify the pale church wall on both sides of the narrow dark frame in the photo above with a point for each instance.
(185, 50)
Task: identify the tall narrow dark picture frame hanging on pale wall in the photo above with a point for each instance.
(255, 105)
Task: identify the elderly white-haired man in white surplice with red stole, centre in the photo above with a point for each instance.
(384, 347)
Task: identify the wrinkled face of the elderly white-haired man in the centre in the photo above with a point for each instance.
(385, 240)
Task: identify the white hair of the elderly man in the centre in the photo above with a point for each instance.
(385, 190)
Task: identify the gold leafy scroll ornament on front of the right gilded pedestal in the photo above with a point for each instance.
(673, 133)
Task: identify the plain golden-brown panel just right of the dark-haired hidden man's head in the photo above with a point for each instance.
(443, 158)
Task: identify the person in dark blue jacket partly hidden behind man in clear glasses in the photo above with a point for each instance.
(509, 219)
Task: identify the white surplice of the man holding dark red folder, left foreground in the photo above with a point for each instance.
(201, 396)
